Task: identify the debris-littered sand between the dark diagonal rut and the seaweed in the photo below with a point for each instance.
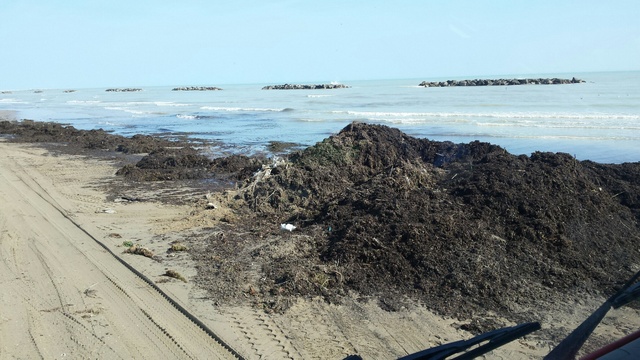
(156, 225)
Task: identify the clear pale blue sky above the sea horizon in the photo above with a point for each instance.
(93, 43)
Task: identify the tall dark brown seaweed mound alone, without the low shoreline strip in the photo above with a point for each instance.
(459, 227)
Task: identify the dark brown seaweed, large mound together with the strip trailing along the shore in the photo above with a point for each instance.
(461, 228)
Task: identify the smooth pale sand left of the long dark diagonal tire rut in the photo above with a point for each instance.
(47, 244)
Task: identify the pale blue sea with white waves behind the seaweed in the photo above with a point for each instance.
(597, 120)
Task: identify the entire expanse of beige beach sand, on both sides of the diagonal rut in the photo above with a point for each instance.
(64, 296)
